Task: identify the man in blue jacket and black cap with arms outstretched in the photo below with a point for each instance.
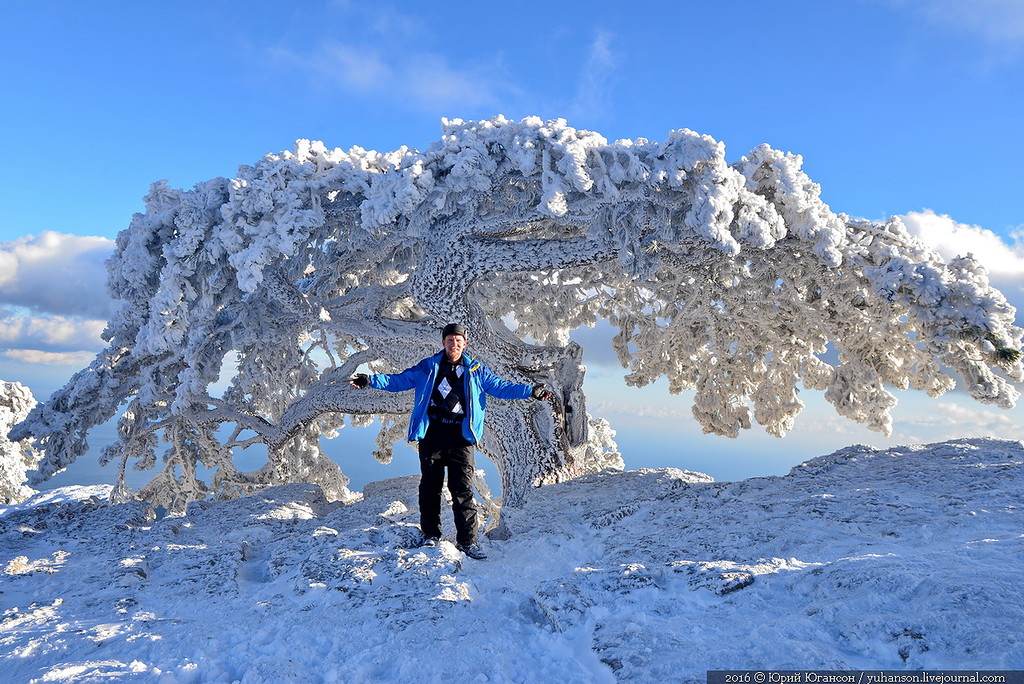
(448, 421)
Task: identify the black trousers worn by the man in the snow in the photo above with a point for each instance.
(445, 448)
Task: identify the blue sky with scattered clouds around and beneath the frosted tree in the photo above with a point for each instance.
(899, 108)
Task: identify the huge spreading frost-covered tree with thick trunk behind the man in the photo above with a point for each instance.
(731, 280)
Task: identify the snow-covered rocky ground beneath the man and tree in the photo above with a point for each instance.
(908, 559)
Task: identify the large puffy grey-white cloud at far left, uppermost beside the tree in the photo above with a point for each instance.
(57, 274)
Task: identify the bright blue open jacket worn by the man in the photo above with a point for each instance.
(480, 382)
